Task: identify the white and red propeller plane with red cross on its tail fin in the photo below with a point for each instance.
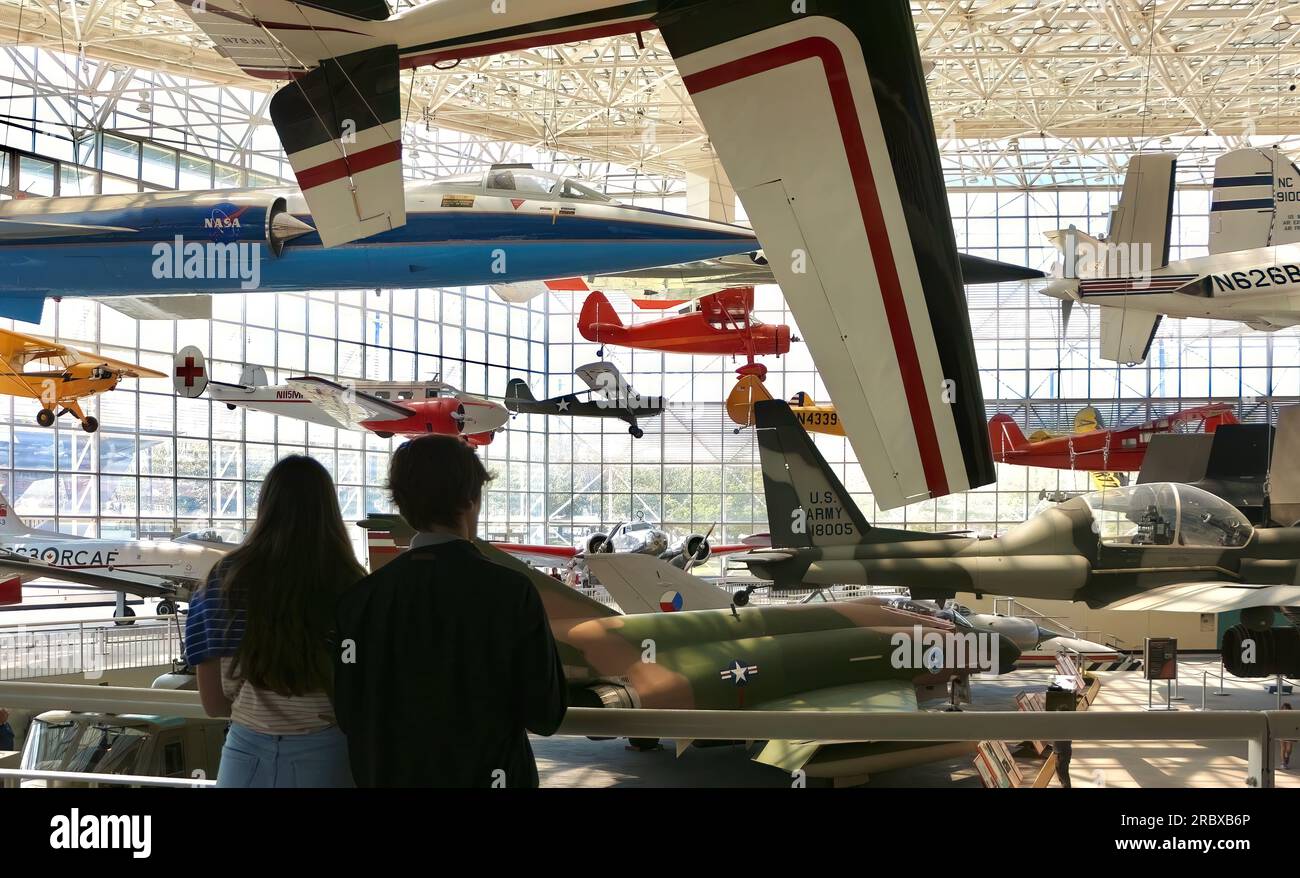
(383, 408)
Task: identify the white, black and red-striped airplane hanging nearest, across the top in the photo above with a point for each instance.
(847, 194)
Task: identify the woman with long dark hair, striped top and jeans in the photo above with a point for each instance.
(259, 637)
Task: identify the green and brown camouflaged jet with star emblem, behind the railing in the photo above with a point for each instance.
(848, 656)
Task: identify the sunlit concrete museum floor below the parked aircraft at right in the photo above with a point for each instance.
(579, 763)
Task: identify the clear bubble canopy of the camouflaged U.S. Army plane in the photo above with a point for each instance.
(1167, 514)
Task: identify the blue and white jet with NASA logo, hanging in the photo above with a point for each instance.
(508, 223)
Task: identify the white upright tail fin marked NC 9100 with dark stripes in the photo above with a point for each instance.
(1256, 201)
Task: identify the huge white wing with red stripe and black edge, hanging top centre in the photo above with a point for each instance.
(848, 197)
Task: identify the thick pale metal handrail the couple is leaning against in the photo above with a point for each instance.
(1260, 730)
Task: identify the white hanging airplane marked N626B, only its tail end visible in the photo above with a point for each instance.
(1251, 275)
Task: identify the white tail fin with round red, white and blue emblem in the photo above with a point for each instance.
(647, 585)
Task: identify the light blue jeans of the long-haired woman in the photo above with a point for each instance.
(253, 759)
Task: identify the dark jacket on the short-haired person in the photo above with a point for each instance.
(454, 663)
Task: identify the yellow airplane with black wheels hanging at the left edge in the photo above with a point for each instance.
(63, 377)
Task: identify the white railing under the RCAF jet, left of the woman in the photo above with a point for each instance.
(89, 647)
